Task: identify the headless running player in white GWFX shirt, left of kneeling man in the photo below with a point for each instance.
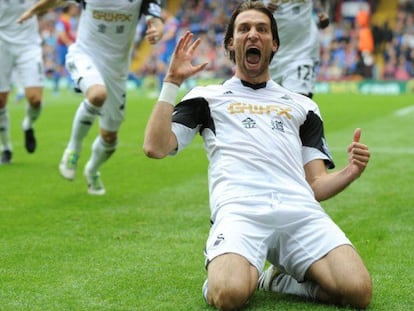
(99, 64)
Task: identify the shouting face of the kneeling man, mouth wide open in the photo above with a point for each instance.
(253, 45)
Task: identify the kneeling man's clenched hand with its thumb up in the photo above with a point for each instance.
(358, 155)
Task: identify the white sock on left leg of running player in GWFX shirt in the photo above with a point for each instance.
(82, 123)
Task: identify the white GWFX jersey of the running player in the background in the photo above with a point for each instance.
(106, 31)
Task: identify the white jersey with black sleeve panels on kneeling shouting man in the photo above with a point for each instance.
(257, 138)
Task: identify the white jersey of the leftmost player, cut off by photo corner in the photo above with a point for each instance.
(11, 32)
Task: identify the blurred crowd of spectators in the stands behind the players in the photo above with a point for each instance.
(346, 50)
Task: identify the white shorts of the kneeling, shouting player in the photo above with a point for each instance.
(290, 234)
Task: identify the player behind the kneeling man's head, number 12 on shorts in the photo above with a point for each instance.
(298, 56)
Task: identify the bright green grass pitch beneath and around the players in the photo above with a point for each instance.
(140, 247)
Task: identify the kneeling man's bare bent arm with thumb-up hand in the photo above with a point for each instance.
(326, 185)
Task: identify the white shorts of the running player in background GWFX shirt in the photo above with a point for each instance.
(85, 73)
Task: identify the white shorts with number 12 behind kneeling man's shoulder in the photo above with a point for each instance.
(298, 77)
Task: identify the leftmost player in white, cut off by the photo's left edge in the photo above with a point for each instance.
(20, 51)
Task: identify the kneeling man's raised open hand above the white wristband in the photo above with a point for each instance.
(181, 66)
